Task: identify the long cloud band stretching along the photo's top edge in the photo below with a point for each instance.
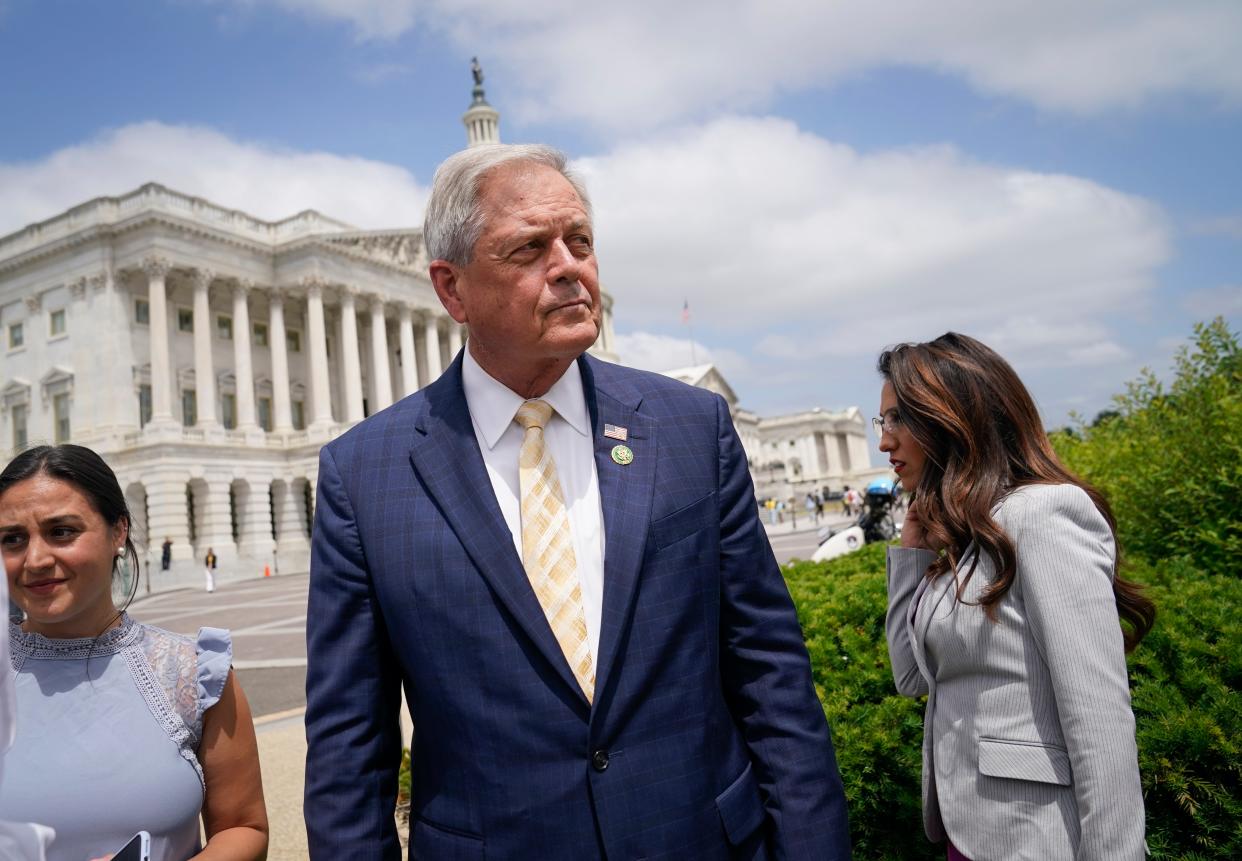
(650, 63)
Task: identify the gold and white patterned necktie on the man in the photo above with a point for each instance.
(548, 545)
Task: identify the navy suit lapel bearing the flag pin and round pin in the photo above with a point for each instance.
(627, 496)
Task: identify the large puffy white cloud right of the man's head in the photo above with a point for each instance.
(807, 248)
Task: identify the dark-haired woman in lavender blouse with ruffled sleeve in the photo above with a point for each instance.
(121, 726)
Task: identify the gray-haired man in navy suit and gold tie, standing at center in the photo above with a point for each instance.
(561, 562)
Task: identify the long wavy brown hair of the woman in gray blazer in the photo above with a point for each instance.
(983, 438)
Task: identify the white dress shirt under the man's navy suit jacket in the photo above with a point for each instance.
(568, 438)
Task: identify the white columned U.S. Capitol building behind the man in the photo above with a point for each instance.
(208, 356)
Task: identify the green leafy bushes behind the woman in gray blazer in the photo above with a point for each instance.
(1171, 463)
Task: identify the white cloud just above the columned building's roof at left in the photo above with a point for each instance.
(266, 182)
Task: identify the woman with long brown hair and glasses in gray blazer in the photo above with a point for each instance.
(1005, 609)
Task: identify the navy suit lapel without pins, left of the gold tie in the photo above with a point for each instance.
(446, 458)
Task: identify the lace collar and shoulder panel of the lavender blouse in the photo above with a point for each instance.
(165, 668)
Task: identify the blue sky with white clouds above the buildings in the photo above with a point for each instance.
(1056, 178)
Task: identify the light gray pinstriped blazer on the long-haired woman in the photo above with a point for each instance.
(1029, 739)
